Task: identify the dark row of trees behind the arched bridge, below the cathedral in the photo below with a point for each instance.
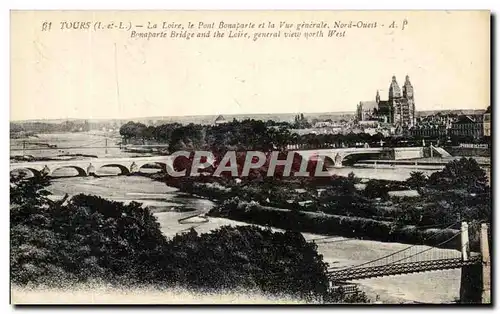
(247, 134)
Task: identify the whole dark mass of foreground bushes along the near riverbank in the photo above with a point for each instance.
(87, 238)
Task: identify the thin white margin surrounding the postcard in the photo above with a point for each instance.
(492, 5)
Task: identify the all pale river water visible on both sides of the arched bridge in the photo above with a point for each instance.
(169, 205)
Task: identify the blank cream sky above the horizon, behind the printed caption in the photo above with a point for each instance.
(109, 75)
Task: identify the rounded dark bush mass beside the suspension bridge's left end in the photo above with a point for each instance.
(250, 257)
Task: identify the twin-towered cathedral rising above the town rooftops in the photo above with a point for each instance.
(398, 110)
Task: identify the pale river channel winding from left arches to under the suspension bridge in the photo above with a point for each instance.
(432, 287)
